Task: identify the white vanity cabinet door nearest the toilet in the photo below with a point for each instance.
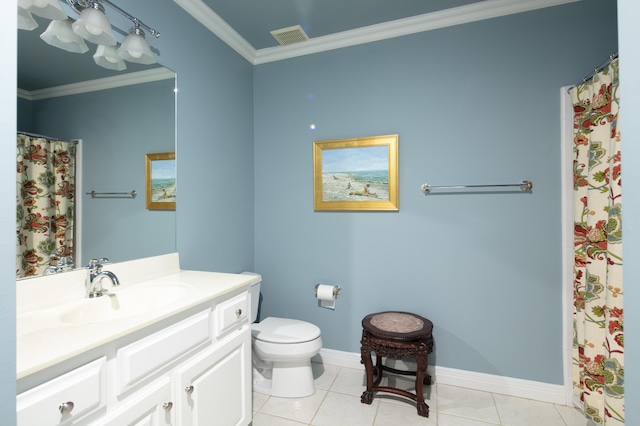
(214, 388)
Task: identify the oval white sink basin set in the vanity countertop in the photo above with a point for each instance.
(125, 302)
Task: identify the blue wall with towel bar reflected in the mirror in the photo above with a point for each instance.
(118, 127)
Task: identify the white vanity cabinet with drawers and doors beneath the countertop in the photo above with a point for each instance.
(194, 371)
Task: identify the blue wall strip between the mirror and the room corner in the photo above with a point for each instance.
(215, 141)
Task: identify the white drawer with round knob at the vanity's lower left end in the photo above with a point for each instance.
(84, 388)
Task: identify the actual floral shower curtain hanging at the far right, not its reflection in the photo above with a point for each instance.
(598, 344)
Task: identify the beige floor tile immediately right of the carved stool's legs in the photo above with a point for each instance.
(467, 403)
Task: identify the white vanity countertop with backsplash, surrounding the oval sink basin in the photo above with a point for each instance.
(44, 340)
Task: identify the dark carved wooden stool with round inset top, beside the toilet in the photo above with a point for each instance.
(396, 335)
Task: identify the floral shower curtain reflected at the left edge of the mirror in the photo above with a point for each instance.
(45, 202)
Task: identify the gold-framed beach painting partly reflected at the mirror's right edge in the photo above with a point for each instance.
(160, 171)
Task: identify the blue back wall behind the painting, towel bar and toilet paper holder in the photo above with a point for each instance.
(472, 104)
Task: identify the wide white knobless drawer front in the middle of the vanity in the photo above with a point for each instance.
(139, 360)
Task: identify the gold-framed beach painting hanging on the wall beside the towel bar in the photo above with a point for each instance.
(356, 174)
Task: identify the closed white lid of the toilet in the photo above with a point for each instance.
(284, 330)
